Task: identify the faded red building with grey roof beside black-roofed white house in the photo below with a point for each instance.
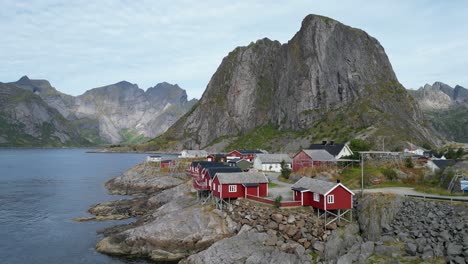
(309, 158)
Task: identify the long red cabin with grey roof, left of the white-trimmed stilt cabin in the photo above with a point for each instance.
(238, 185)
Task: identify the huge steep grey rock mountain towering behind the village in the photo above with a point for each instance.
(330, 81)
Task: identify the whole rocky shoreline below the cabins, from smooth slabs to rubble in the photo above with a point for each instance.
(173, 226)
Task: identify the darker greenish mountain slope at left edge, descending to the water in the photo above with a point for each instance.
(26, 120)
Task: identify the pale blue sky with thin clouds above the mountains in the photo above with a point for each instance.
(82, 44)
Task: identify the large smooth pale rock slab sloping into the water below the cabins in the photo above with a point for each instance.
(174, 231)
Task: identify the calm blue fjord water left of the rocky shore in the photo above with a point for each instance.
(42, 190)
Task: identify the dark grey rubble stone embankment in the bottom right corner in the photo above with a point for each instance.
(431, 229)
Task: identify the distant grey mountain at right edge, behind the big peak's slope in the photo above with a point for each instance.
(446, 108)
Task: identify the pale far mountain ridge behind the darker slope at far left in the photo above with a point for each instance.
(117, 113)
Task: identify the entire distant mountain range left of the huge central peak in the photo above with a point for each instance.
(33, 113)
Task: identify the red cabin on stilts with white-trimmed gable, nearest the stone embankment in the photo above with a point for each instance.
(322, 194)
